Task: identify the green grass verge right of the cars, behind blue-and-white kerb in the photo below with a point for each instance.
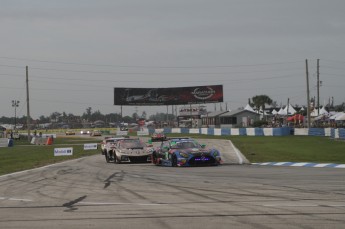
(286, 148)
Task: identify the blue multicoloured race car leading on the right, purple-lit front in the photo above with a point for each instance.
(185, 152)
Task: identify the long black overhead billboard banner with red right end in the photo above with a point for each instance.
(168, 96)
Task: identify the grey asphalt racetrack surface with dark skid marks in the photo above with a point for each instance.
(90, 193)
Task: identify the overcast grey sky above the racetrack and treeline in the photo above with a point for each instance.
(77, 51)
